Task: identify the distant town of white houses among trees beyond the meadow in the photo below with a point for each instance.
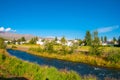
(41, 41)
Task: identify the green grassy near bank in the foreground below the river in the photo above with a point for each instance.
(13, 68)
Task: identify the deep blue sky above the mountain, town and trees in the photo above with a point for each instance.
(69, 18)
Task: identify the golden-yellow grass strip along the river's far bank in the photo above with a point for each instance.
(79, 57)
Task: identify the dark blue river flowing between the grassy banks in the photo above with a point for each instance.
(80, 68)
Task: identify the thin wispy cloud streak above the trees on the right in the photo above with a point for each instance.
(107, 29)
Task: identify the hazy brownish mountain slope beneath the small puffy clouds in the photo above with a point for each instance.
(11, 35)
